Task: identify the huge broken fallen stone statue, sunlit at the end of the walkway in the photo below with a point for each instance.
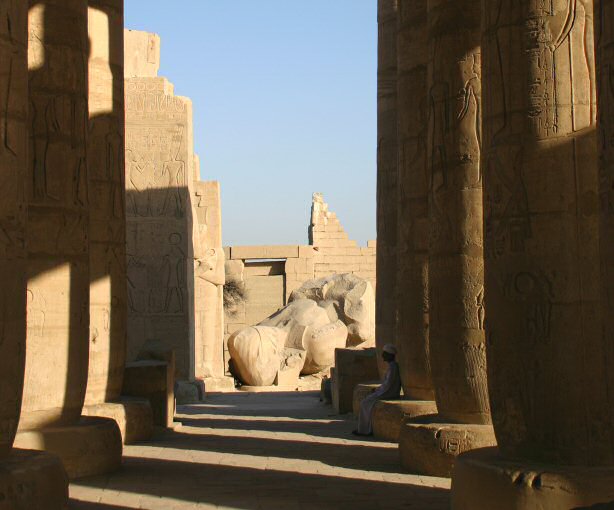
(333, 312)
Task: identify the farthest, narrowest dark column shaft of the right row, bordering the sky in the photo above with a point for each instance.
(385, 299)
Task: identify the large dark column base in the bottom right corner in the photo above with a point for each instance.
(483, 480)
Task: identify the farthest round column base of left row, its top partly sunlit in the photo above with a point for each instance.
(133, 416)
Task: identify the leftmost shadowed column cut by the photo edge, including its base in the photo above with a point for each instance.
(42, 473)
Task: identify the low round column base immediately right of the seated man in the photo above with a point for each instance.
(390, 415)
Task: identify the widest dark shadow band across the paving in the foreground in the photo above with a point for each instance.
(252, 489)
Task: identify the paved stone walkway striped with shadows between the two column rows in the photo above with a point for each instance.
(261, 452)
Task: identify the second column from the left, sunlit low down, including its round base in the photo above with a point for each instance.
(58, 248)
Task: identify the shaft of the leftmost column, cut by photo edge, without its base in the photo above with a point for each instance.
(13, 169)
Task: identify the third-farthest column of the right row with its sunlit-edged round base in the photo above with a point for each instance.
(456, 267)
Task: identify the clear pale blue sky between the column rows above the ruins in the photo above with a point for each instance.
(284, 95)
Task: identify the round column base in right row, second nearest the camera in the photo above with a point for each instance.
(429, 446)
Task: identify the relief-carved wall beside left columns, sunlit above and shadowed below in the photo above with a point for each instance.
(159, 186)
